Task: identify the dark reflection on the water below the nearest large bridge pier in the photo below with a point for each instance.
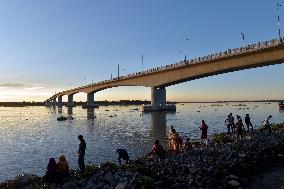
(158, 127)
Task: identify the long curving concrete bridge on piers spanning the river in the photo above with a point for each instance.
(250, 56)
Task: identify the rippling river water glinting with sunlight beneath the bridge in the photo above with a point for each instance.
(30, 135)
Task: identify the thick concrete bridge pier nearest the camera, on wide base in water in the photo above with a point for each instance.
(158, 101)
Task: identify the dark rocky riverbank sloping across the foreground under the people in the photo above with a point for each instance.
(222, 164)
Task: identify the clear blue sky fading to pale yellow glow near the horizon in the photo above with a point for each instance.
(50, 46)
